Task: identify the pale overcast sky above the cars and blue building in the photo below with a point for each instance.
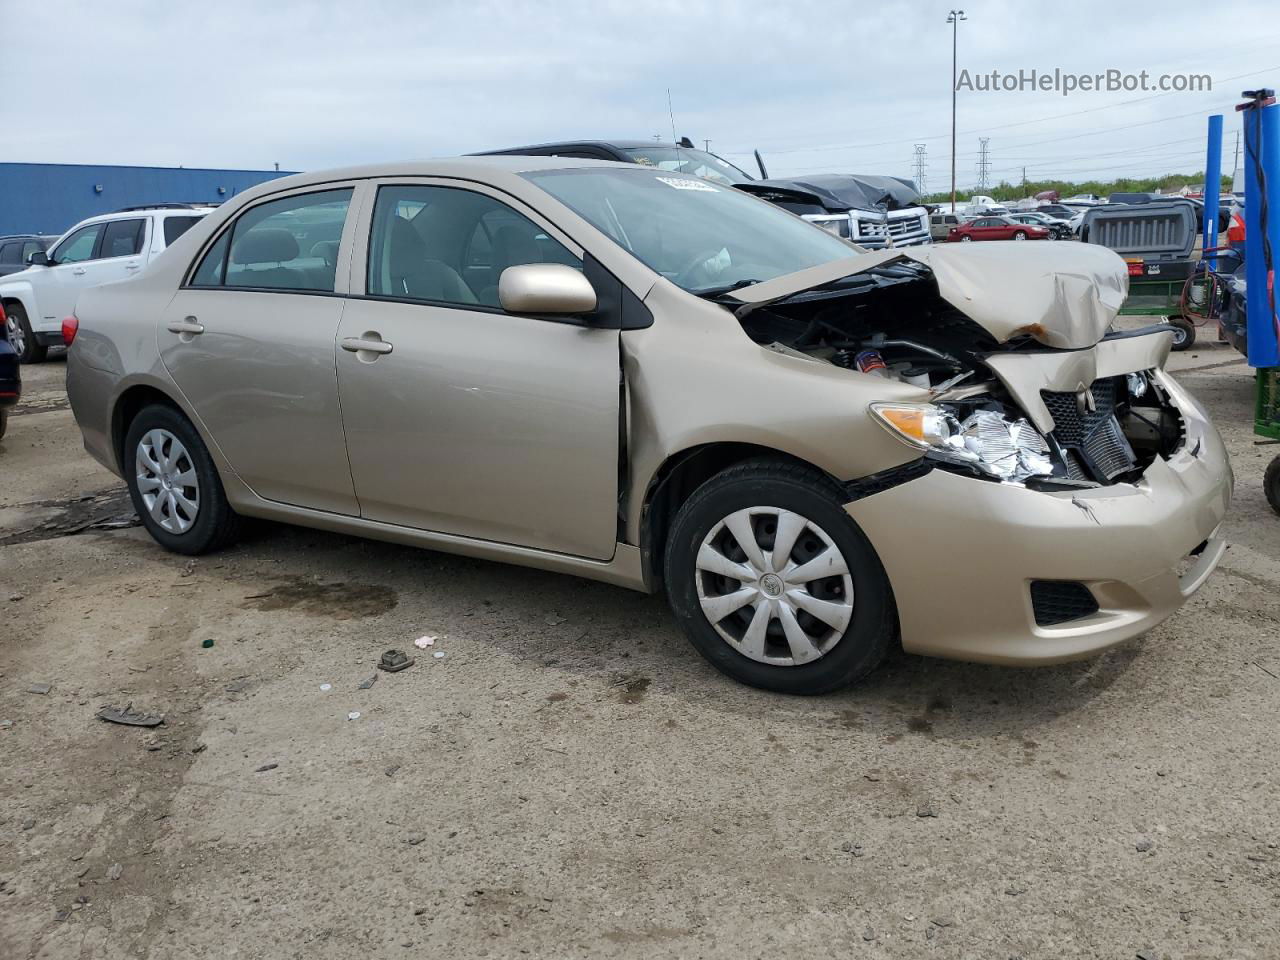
(830, 86)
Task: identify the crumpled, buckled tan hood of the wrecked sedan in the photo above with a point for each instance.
(1063, 295)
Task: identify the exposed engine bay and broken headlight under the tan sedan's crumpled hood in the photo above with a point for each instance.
(890, 322)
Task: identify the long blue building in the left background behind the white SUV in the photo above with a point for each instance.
(53, 198)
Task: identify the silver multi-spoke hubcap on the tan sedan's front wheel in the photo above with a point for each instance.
(775, 587)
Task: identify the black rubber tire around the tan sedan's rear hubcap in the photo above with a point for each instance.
(216, 525)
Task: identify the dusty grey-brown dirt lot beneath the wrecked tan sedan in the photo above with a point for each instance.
(570, 779)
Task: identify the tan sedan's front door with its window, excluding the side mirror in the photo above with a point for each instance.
(469, 420)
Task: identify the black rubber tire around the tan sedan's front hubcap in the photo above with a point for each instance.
(794, 488)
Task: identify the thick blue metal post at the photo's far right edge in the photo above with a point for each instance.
(1261, 152)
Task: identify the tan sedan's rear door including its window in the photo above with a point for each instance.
(250, 342)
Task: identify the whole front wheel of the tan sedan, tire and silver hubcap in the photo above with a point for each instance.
(775, 584)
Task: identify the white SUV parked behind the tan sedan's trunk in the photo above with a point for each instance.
(98, 250)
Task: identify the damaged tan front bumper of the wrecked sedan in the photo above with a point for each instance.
(963, 555)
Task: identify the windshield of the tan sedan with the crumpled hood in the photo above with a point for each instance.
(701, 236)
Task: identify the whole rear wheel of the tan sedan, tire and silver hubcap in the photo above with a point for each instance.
(175, 486)
